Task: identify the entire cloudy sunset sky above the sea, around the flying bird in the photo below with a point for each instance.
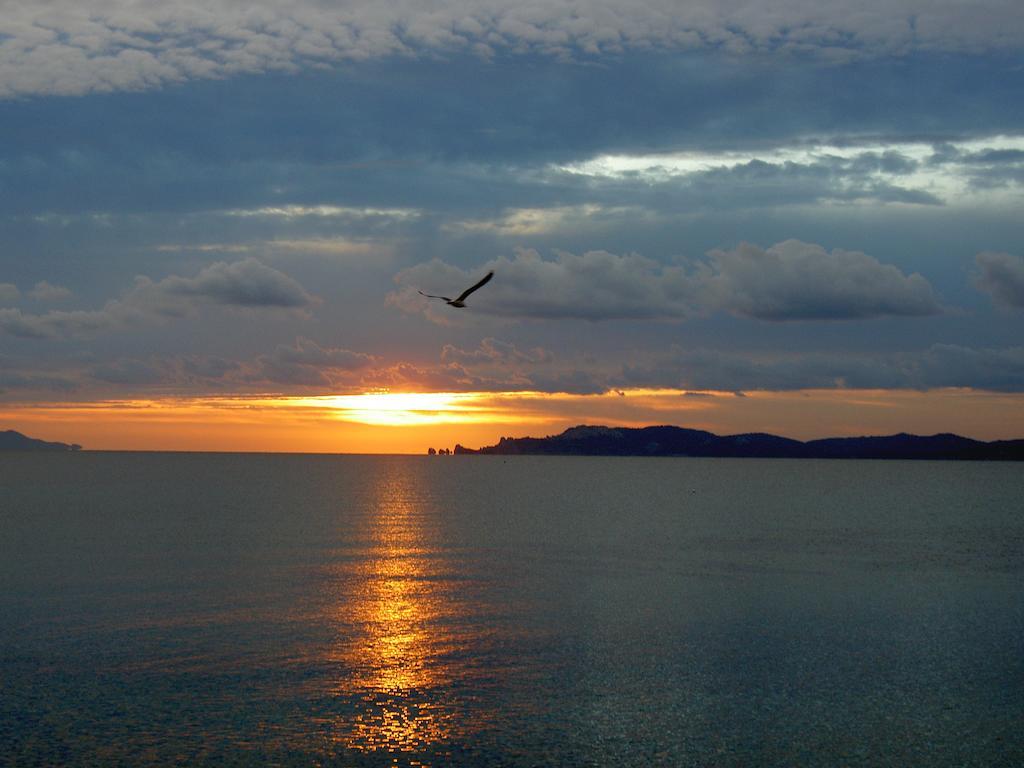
(796, 218)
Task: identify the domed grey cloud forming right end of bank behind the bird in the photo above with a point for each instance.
(794, 281)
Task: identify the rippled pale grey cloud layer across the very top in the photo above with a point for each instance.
(65, 48)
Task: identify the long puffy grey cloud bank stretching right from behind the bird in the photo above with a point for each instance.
(791, 281)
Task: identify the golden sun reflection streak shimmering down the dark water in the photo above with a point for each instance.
(398, 605)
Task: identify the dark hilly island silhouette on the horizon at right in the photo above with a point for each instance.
(668, 441)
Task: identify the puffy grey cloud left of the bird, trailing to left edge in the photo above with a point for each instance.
(248, 284)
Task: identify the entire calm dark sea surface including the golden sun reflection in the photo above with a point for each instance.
(242, 610)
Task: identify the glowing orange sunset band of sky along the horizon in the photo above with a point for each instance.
(410, 422)
